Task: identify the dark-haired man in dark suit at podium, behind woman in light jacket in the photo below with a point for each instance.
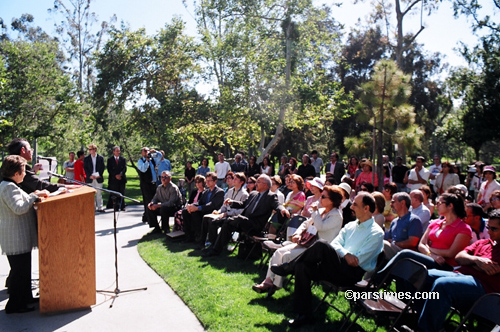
(31, 182)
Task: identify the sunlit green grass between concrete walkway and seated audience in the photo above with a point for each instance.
(218, 290)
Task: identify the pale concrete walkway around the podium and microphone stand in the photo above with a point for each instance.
(156, 309)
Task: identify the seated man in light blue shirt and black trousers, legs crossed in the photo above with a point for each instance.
(343, 262)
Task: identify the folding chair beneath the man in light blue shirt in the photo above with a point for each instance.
(362, 286)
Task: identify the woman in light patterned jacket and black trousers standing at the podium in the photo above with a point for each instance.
(18, 233)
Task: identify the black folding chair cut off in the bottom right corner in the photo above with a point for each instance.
(487, 307)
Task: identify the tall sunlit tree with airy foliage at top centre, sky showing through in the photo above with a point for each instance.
(274, 55)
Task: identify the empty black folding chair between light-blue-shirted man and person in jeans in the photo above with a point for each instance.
(408, 270)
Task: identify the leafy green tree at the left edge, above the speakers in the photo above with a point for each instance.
(37, 96)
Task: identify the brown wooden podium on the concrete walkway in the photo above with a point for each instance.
(66, 242)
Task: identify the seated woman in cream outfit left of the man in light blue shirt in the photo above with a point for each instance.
(326, 222)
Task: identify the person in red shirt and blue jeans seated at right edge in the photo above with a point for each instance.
(479, 274)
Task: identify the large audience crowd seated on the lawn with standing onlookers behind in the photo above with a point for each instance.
(431, 215)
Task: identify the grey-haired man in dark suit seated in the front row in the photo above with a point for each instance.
(256, 212)
